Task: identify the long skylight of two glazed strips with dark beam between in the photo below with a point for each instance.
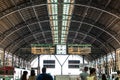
(60, 29)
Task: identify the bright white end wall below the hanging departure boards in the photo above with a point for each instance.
(57, 69)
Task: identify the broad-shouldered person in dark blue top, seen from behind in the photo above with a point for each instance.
(44, 75)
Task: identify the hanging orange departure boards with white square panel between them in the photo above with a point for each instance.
(77, 49)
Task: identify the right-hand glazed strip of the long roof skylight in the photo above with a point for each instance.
(67, 12)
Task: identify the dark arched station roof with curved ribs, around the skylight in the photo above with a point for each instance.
(26, 22)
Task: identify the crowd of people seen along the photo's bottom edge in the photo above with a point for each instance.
(85, 75)
